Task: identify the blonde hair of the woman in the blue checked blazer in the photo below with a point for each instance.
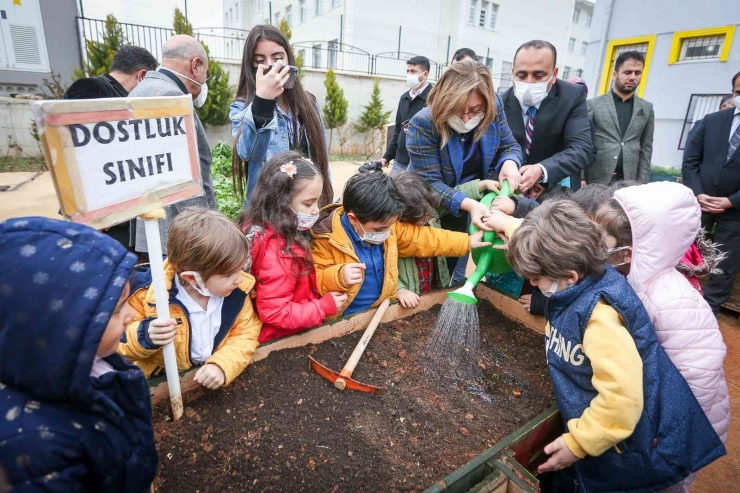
(449, 96)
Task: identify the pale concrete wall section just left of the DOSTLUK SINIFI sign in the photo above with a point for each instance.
(15, 129)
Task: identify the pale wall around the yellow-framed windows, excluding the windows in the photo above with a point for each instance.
(668, 87)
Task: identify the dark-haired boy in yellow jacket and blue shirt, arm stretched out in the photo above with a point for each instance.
(356, 244)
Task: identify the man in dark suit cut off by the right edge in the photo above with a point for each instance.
(711, 168)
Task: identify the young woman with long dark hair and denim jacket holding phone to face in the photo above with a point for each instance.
(272, 112)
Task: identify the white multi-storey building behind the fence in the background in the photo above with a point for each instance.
(346, 34)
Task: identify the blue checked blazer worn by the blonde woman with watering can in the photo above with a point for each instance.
(441, 167)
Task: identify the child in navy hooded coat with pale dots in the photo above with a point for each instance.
(74, 415)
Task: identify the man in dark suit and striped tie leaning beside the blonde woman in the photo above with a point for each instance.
(549, 119)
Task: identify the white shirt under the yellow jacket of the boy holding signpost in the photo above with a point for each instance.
(204, 324)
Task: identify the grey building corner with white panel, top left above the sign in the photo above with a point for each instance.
(38, 39)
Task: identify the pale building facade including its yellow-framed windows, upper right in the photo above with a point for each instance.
(691, 57)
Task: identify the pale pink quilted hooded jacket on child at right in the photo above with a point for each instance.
(665, 219)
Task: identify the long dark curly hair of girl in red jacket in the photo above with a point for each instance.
(281, 178)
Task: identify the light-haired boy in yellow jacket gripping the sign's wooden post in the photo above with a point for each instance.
(212, 321)
